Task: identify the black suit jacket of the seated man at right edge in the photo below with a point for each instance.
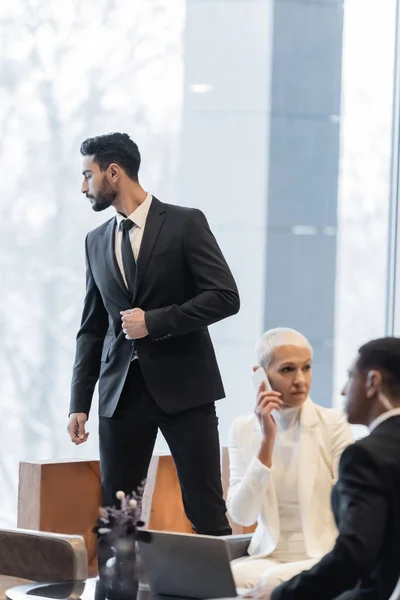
(365, 562)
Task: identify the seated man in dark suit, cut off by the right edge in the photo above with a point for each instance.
(365, 561)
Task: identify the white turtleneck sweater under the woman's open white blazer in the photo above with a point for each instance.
(291, 546)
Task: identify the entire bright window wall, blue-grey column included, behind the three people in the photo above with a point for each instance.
(211, 92)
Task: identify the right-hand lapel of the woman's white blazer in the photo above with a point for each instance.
(309, 454)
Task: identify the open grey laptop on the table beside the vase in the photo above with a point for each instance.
(187, 565)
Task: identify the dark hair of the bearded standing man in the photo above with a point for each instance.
(114, 148)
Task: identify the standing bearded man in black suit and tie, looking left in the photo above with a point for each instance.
(155, 280)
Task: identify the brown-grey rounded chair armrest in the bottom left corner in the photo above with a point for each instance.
(42, 556)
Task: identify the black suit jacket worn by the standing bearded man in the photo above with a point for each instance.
(183, 284)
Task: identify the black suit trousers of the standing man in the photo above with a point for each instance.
(127, 441)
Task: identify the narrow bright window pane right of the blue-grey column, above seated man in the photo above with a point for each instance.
(365, 177)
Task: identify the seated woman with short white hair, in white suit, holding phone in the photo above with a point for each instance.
(283, 464)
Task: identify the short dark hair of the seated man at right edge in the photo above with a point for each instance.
(383, 355)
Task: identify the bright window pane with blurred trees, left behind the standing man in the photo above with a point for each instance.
(68, 70)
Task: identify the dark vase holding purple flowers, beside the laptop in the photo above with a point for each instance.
(120, 573)
